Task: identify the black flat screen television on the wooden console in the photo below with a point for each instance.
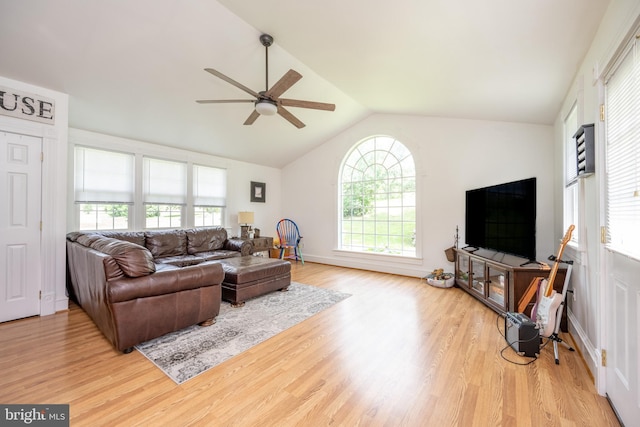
(503, 218)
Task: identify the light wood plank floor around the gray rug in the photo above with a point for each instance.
(397, 352)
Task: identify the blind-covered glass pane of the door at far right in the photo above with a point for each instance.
(623, 153)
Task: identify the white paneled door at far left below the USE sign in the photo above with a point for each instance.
(20, 208)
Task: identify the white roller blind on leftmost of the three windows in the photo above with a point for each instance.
(103, 176)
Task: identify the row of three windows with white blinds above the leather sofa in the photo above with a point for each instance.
(107, 195)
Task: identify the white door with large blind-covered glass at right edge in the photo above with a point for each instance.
(622, 206)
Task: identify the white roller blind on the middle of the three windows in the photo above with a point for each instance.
(164, 181)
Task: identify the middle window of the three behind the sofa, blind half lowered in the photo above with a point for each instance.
(164, 192)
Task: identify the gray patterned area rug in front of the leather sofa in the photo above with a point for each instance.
(191, 351)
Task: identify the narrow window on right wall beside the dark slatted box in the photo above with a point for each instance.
(571, 191)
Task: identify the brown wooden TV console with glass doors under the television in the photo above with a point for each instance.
(499, 280)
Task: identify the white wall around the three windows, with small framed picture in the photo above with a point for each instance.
(239, 177)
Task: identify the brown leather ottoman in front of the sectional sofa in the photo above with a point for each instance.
(250, 276)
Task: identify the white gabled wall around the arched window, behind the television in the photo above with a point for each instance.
(452, 156)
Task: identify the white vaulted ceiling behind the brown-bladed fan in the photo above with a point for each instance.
(135, 68)
